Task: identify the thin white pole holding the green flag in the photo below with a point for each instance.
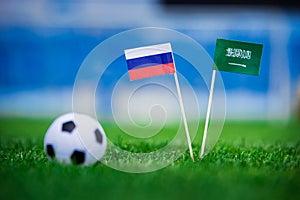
(212, 85)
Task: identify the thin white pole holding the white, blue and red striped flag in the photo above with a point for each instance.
(183, 115)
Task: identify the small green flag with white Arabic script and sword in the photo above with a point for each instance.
(238, 57)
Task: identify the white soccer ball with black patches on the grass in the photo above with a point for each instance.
(75, 138)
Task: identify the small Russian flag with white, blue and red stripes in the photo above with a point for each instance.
(148, 61)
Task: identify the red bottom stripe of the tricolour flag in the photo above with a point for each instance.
(147, 72)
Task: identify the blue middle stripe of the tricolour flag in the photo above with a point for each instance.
(147, 61)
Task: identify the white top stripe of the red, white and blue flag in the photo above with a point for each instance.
(147, 51)
